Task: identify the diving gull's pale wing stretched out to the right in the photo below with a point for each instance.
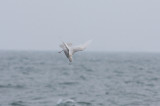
(81, 47)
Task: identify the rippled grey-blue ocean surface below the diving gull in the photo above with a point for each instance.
(92, 79)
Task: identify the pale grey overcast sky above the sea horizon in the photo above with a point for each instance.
(114, 25)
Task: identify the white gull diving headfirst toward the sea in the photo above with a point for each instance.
(69, 50)
